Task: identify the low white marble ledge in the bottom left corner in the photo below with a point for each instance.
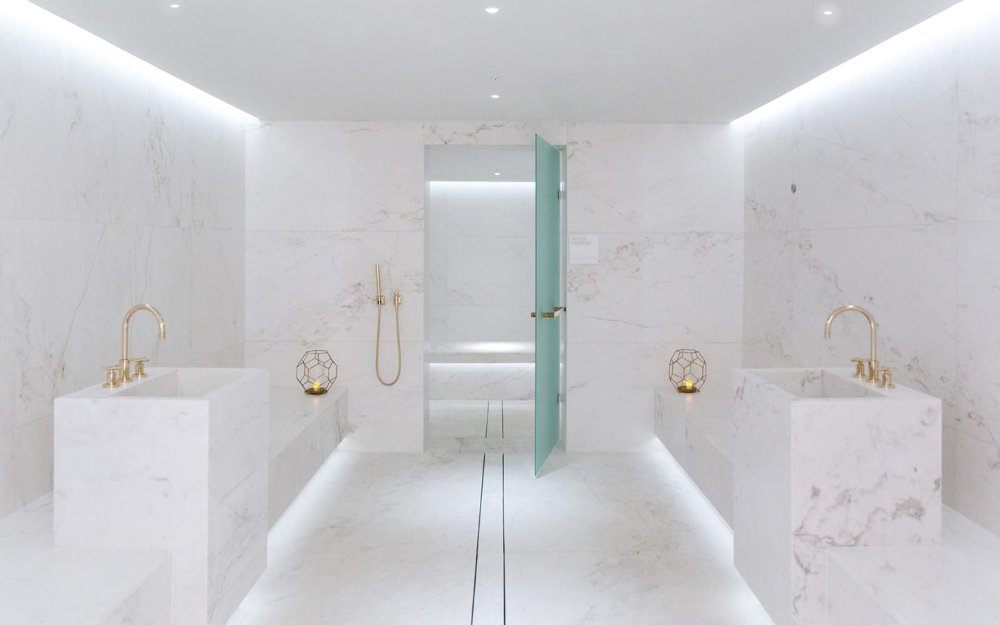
(40, 585)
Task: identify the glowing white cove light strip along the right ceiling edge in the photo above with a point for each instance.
(949, 24)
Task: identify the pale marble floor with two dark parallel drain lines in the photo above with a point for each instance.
(465, 534)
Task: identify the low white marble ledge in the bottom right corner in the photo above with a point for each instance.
(955, 581)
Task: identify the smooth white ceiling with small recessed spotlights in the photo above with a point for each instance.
(567, 60)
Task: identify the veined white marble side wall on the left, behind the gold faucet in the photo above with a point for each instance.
(116, 186)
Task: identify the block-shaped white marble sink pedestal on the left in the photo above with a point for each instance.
(177, 462)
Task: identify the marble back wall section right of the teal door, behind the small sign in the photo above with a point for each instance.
(665, 201)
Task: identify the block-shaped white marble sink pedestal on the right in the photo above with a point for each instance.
(823, 460)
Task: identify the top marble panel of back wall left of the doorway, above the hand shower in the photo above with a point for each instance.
(328, 176)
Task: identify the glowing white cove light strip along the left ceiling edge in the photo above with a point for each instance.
(31, 20)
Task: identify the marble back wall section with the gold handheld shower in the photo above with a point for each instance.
(325, 202)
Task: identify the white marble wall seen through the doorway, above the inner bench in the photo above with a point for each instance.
(481, 271)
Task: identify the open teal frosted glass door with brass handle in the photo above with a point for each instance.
(548, 299)
